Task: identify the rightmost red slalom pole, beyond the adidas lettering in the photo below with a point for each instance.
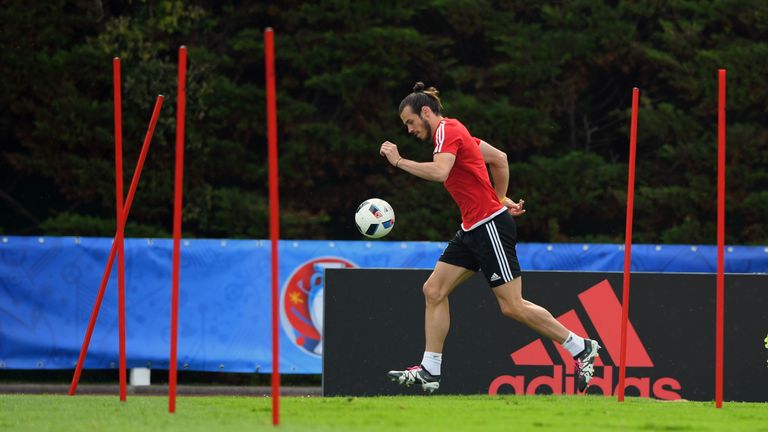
(720, 239)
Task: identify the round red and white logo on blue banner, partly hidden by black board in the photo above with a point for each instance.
(301, 303)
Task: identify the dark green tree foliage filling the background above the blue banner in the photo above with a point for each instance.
(549, 83)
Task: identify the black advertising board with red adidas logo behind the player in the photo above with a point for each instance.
(375, 323)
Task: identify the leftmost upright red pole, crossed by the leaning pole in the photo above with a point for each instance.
(120, 235)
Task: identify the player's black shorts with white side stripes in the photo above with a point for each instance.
(489, 247)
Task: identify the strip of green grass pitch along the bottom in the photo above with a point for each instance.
(423, 413)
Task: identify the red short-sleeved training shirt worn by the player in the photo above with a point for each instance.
(468, 182)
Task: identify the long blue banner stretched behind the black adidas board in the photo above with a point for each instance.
(48, 288)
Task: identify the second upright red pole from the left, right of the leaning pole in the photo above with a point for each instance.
(181, 102)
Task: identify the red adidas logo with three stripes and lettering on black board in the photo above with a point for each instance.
(604, 311)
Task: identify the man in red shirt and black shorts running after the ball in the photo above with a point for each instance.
(486, 240)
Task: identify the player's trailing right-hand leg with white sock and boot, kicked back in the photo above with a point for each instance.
(584, 351)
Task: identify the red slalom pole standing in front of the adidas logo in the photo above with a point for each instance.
(628, 242)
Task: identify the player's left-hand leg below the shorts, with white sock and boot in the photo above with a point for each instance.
(437, 320)
